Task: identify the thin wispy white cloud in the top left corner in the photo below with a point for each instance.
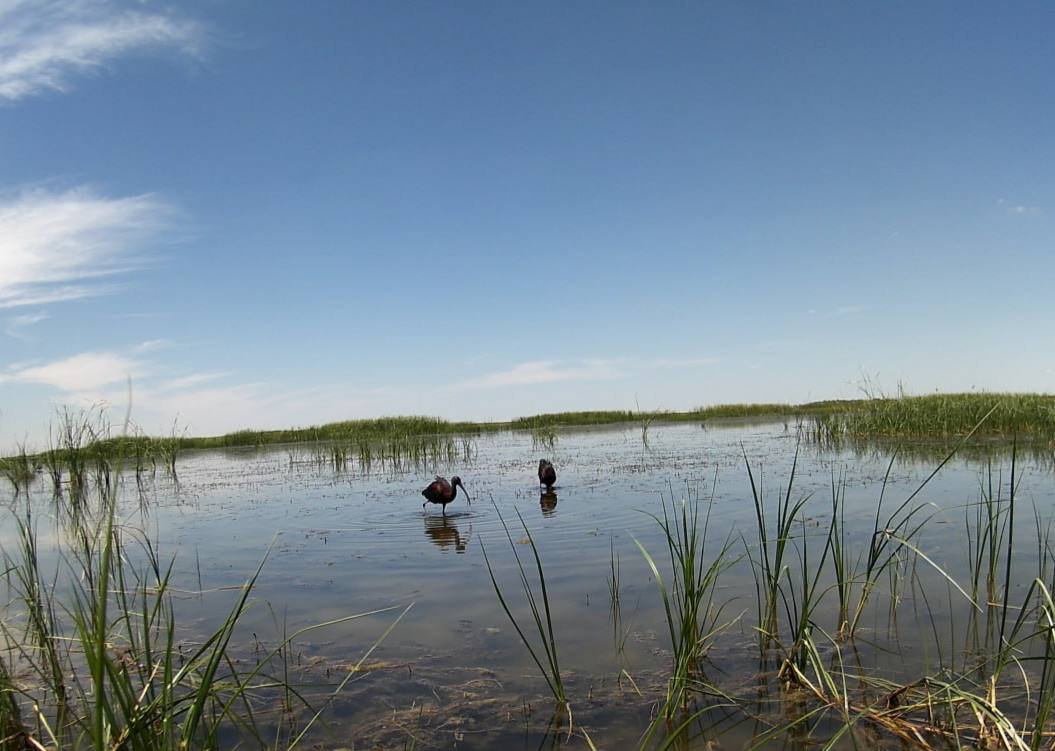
(46, 44)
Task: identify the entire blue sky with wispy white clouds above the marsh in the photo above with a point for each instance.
(272, 215)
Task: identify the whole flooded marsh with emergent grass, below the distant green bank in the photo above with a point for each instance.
(811, 593)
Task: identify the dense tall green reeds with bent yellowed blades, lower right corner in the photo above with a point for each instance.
(989, 695)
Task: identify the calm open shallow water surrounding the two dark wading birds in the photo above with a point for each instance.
(453, 673)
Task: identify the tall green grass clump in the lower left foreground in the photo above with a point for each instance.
(94, 641)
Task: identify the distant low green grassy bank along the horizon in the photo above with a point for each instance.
(932, 417)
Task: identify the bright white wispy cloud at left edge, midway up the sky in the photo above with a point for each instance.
(69, 245)
